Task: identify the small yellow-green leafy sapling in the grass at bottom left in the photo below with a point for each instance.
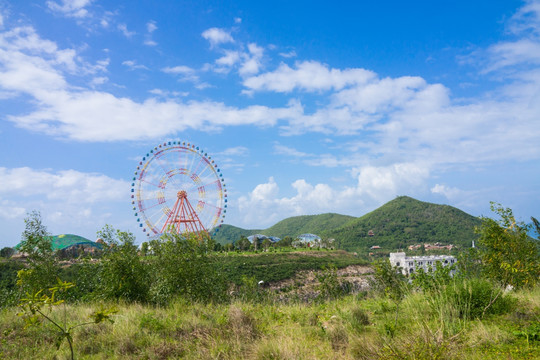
(37, 306)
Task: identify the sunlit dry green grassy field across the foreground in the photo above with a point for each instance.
(360, 326)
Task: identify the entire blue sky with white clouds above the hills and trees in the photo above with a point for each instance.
(307, 107)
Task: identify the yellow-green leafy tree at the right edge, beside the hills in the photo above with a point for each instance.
(508, 254)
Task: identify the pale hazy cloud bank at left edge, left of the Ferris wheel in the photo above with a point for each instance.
(69, 201)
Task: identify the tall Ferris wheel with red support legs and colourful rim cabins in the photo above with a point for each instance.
(178, 188)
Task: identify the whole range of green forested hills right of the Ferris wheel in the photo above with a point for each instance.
(397, 224)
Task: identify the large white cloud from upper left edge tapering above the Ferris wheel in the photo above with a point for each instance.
(30, 66)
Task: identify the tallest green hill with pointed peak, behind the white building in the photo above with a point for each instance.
(405, 221)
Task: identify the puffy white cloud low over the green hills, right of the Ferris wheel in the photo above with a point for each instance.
(375, 185)
